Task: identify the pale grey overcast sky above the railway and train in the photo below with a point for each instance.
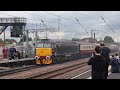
(69, 27)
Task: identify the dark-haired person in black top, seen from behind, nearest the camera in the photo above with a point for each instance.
(98, 65)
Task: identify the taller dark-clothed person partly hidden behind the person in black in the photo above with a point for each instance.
(105, 53)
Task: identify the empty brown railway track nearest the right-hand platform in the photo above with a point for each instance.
(57, 72)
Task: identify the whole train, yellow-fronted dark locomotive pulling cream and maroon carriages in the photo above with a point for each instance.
(50, 51)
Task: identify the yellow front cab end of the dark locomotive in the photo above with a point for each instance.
(43, 53)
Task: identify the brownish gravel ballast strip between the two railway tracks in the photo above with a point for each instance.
(40, 70)
